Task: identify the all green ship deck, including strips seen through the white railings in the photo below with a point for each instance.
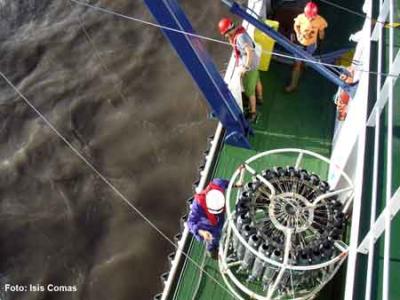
(303, 119)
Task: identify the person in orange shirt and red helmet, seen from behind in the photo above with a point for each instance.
(308, 27)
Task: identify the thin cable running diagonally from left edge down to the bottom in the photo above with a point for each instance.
(107, 182)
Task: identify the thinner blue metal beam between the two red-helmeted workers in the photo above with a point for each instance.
(289, 46)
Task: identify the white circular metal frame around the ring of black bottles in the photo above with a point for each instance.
(282, 204)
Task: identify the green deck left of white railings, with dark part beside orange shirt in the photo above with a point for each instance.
(303, 119)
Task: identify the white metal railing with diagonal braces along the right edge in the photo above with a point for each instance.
(379, 226)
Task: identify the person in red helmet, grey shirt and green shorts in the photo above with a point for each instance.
(246, 59)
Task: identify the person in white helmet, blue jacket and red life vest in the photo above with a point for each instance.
(207, 214)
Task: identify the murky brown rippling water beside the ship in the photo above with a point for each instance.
(115, 89)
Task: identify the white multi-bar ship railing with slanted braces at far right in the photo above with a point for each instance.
(384, 99)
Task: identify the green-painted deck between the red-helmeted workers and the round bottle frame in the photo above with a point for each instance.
(304, 120)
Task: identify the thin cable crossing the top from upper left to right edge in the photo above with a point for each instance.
(111, 12)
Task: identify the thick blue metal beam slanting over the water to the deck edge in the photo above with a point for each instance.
(200, 66)
